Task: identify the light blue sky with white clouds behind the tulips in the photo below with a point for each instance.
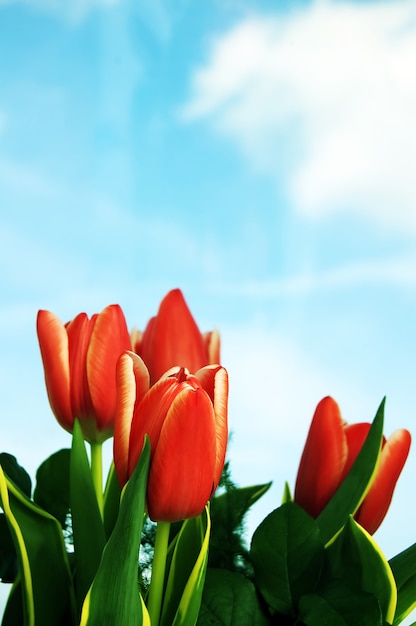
(257, 154)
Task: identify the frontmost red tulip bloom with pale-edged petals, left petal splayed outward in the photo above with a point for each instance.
(185, 417)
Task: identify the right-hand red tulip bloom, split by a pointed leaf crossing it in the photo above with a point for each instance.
(330, 450)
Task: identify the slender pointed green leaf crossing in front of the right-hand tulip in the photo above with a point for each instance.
(352, 490)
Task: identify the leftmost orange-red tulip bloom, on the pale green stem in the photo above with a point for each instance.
(79, 359)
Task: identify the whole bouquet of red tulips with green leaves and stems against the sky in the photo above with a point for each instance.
(160, 540)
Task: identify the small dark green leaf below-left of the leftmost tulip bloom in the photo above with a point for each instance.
(52, 485)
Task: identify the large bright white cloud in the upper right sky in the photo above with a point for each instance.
(325, 97)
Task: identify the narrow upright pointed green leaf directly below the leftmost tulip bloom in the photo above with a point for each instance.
(87, 525)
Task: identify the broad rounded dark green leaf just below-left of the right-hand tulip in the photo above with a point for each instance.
(287, 554)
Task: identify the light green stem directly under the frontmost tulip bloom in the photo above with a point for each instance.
(158, 572)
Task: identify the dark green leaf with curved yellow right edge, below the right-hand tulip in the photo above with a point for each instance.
(355, 558)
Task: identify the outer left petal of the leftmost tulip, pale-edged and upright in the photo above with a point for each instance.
(53, 342)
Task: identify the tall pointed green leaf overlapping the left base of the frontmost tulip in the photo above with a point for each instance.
(114, 596)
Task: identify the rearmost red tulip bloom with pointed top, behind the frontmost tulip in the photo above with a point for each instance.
(173, 338)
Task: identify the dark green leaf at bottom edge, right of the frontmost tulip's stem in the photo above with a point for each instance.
(230, 599)
